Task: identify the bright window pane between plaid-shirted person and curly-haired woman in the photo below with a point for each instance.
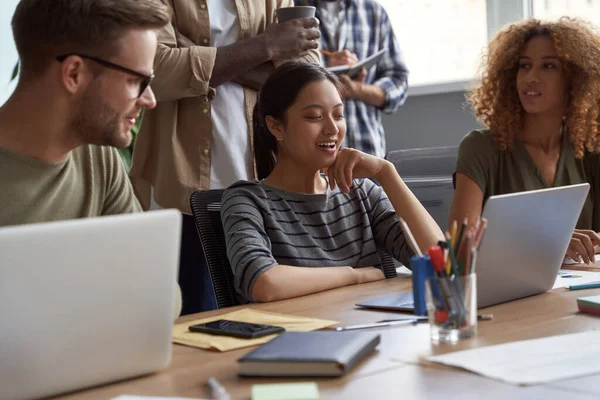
(441, 39)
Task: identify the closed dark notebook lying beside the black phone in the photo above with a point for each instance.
(324, 353)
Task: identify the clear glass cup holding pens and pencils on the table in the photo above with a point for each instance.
(452, 307)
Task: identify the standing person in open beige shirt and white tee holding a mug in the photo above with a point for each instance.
(199, 135)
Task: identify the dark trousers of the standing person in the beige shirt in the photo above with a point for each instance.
(194, 277)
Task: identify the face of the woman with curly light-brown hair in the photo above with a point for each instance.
(541, 80)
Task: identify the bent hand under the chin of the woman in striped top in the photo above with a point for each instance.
(353, 164)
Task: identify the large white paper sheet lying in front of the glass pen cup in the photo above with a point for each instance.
(531, 362)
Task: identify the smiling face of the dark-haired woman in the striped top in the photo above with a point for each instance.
(314, 126)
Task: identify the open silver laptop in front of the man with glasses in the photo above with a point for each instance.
(86, 302)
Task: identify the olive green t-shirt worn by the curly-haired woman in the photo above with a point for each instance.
(513, 170)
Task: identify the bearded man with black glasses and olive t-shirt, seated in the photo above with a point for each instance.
(85, 71)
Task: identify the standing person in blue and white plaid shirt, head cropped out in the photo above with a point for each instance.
(352, 30)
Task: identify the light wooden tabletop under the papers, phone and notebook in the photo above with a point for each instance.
(381, 376)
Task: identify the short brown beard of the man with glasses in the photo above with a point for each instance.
(97, 122)
